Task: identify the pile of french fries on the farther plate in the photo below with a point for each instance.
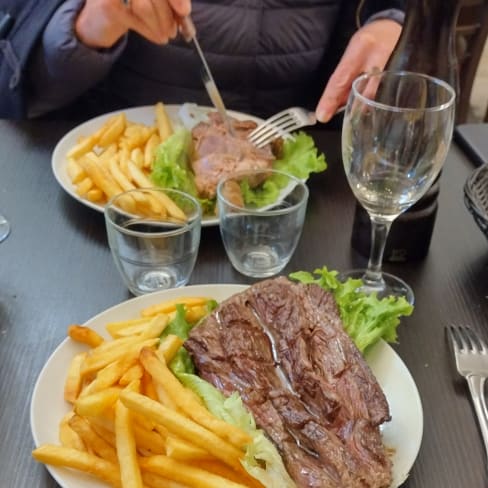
(119, 157)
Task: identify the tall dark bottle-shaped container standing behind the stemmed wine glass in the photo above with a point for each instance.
(427, 45)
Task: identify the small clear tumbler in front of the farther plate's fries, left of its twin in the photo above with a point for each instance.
(153, 249)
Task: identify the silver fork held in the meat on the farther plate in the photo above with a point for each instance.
(281, 125)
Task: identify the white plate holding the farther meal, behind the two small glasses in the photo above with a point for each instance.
(144, 115)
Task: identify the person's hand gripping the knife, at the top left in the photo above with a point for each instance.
(101, 23)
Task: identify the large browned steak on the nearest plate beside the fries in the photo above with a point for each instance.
(282, 346)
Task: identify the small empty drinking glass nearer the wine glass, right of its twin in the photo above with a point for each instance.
(261, 214)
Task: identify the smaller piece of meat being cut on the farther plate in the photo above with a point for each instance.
(218, 153)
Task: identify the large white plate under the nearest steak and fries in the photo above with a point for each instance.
(403, 434)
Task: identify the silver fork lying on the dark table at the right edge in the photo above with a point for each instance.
(471, 355)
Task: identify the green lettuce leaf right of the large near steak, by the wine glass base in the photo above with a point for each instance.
(366, 318)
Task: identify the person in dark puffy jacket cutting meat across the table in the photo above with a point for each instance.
(94, 56)
